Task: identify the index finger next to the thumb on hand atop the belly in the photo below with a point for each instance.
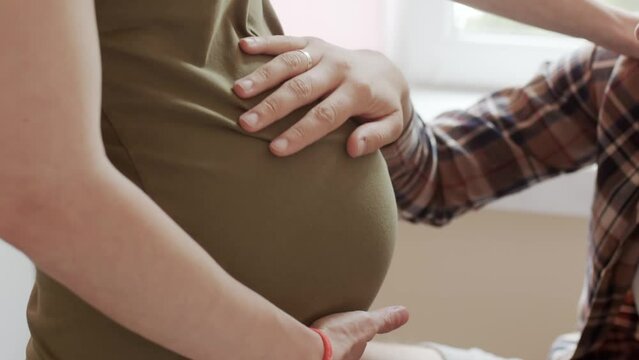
(320, 121)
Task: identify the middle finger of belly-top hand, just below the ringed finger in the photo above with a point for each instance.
(295, 93)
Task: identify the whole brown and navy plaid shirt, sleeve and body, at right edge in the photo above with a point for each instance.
(580, 111)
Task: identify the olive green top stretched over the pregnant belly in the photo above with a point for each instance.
(312, 233)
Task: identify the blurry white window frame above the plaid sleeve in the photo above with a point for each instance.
(423, 40)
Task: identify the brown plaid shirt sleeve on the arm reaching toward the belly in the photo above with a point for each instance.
(506, 142)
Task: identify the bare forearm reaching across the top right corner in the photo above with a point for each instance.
(589, 19)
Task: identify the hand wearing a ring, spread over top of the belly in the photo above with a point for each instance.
(361, 84)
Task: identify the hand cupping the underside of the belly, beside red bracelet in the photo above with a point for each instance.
(351, 332)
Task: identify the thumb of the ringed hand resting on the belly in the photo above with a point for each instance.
(372, 136)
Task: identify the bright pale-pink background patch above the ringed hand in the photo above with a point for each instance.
(352, 24)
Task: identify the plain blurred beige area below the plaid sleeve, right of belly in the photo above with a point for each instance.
(506, 282)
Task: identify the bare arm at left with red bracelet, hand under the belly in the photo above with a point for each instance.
(131, 260)
